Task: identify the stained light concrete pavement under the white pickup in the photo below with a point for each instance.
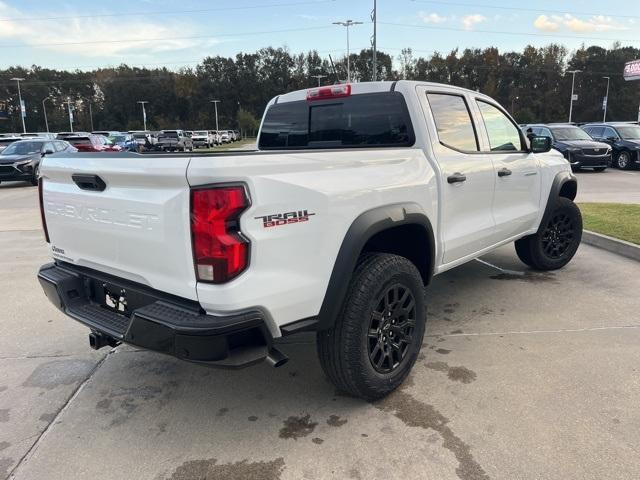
(523, 375)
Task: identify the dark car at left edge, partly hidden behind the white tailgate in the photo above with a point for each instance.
(21, 159)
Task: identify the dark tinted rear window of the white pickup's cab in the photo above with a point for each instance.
(364, 120)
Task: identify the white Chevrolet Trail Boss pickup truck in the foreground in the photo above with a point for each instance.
(357, 196)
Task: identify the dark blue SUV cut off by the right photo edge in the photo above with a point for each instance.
(624, 138)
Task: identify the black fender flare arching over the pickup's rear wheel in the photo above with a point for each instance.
(363, 228)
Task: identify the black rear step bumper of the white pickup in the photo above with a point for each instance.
(154, 320)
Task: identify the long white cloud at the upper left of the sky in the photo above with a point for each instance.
(99, 37)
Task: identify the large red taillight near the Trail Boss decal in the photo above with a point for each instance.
(220, 252)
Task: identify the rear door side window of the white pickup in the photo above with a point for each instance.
(453, 121)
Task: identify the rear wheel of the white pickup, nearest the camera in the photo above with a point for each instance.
(376, 339)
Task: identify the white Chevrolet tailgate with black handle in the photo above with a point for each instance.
(137, 228)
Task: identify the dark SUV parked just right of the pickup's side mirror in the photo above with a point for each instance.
(580, 150)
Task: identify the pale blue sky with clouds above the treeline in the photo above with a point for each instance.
(83, 34)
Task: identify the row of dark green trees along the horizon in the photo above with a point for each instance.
(533, 84)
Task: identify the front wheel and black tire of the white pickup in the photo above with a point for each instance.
(556, 242)
